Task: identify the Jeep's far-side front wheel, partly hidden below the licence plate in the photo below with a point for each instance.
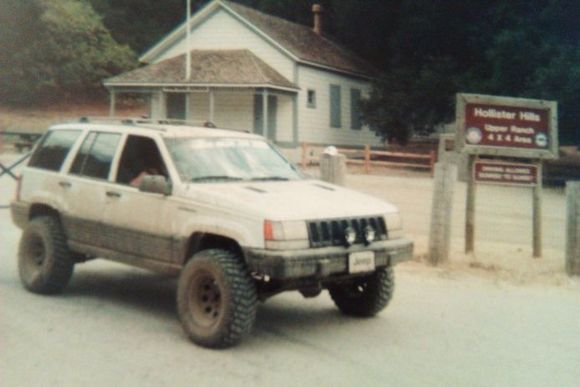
(364, 296)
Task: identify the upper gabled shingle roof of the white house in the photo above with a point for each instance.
(299, 41)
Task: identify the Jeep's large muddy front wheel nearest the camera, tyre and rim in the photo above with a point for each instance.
(216, 299)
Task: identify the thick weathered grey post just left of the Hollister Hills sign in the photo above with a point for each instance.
(441, 207)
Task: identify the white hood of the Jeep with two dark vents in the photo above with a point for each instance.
(289, 200)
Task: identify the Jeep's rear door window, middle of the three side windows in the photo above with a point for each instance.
(96, 155)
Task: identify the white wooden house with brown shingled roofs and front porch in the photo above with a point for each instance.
(247, 65)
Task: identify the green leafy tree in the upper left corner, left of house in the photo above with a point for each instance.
(55, 49)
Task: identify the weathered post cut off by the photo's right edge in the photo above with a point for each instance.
(573, 228)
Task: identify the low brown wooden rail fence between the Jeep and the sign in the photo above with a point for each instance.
(368, 158)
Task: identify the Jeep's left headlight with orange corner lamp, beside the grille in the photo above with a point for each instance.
(286, 235)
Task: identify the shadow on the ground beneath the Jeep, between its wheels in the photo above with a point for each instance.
(288, 317)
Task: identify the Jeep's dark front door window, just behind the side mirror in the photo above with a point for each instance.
(140, 157)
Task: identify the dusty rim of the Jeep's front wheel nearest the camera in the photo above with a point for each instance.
(205, 299)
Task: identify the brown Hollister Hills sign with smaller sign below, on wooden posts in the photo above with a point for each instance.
(512, 136)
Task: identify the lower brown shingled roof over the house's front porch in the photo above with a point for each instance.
(208, 67)
